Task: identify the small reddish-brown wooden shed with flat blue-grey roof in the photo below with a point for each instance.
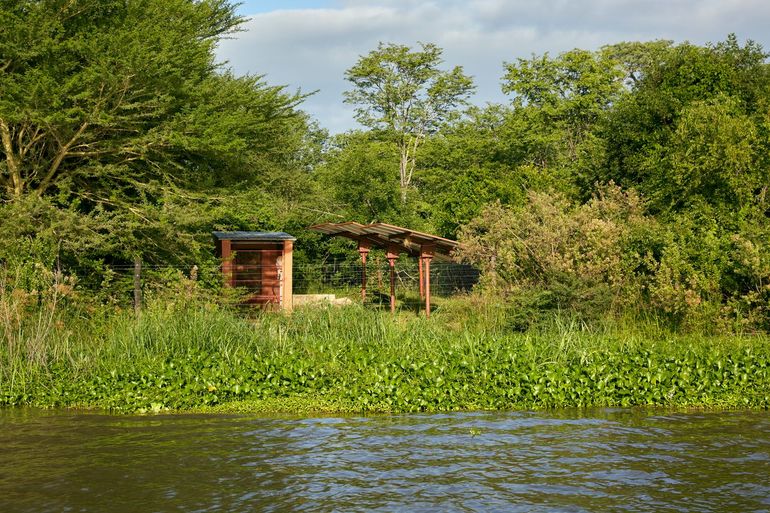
(260, 262)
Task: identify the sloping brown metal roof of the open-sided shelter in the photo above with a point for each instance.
(384, 235)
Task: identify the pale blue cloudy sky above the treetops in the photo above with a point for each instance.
(308, 44)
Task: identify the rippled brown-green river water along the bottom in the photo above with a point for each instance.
(575, 461)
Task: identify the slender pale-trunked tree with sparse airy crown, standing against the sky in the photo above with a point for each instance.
(403, 94)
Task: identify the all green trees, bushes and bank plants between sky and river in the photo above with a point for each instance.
(620, 189)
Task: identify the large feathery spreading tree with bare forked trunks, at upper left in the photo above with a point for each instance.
(115, 110)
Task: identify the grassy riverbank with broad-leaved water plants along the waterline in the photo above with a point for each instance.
(205, 358)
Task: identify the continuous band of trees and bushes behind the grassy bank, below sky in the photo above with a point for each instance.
(631, 180)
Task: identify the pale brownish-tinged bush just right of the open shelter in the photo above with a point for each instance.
(552, 255)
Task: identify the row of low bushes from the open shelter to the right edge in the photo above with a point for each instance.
(608, 257)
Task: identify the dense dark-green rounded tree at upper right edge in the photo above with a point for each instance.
(689, 134)
